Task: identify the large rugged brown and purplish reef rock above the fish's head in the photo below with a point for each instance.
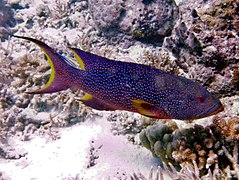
(206, 35)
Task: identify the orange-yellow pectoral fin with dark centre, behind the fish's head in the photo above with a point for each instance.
(148, 109)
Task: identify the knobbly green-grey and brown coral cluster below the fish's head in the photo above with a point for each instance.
(208, 147)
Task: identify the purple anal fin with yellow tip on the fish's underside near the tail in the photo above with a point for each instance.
(93, 102)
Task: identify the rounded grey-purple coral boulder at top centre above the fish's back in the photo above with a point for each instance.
(150, 20)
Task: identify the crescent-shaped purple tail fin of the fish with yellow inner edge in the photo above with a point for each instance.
(59, 78)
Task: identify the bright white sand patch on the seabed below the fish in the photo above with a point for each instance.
(69, 156)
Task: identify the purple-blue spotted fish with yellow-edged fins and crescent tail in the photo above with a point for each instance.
(116, 85)
